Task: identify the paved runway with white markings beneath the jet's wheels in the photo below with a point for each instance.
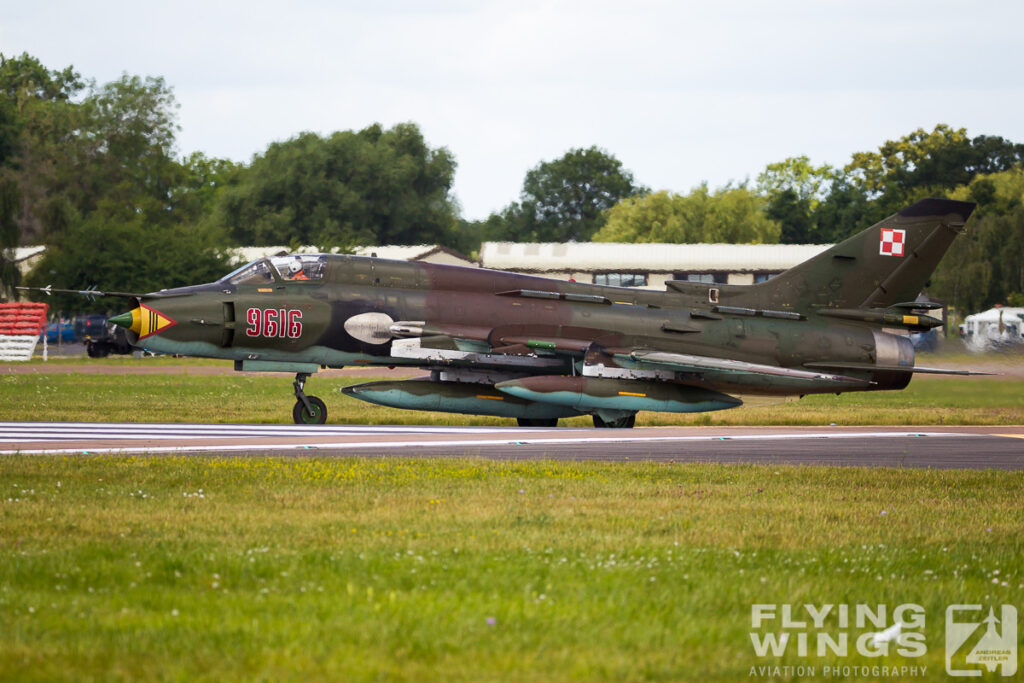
(945, 448)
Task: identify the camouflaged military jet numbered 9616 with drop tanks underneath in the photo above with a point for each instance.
(540, 350)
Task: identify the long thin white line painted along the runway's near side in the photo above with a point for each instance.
(463, 444)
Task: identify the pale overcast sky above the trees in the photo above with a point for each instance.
(680, 93)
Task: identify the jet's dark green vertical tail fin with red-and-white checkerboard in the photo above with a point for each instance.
(888, 264)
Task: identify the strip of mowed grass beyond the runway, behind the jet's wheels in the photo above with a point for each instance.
(268, 399)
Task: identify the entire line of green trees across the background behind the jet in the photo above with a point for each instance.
(92, 170)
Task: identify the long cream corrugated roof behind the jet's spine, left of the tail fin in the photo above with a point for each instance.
(576, 257)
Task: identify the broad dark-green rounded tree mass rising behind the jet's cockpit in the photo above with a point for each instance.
(367, 188)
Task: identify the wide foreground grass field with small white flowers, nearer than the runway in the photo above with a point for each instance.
(229, 569)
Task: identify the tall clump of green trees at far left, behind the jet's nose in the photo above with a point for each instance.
(97, 181)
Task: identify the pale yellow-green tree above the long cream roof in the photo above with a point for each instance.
(733, 216)
